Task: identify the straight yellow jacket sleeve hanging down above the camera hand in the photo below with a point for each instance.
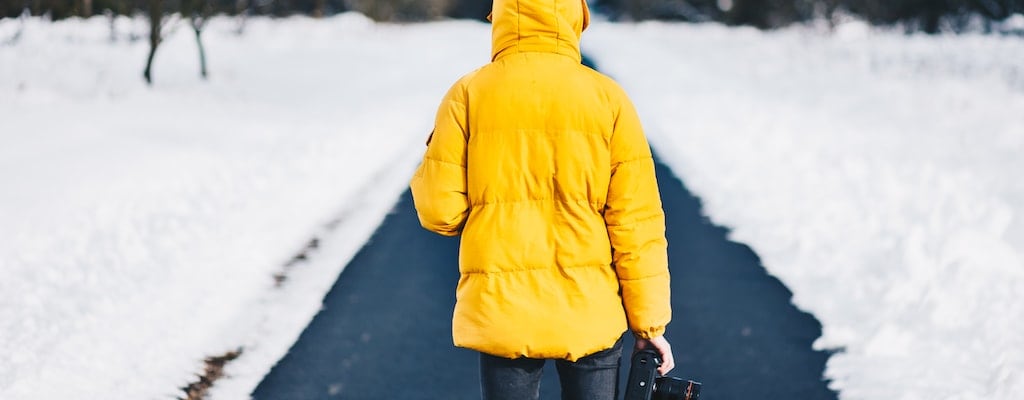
(636, 228)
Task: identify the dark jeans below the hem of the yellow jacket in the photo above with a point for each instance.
(592, 378)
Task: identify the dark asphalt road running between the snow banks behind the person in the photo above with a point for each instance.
(385, 332)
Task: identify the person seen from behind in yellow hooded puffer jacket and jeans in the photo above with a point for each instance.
(542, 166)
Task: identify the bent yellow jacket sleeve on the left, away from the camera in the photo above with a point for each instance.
(440, 185)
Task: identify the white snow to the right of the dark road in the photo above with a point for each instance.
(877, 175)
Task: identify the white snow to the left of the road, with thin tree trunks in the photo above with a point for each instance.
(143, 228)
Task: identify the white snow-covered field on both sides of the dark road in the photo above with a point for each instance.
(876, 174)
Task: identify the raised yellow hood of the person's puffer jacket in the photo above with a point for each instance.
(538, 26)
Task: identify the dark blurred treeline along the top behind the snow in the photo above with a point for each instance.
(928, 16)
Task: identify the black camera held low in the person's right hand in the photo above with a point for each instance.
(646, 384)
